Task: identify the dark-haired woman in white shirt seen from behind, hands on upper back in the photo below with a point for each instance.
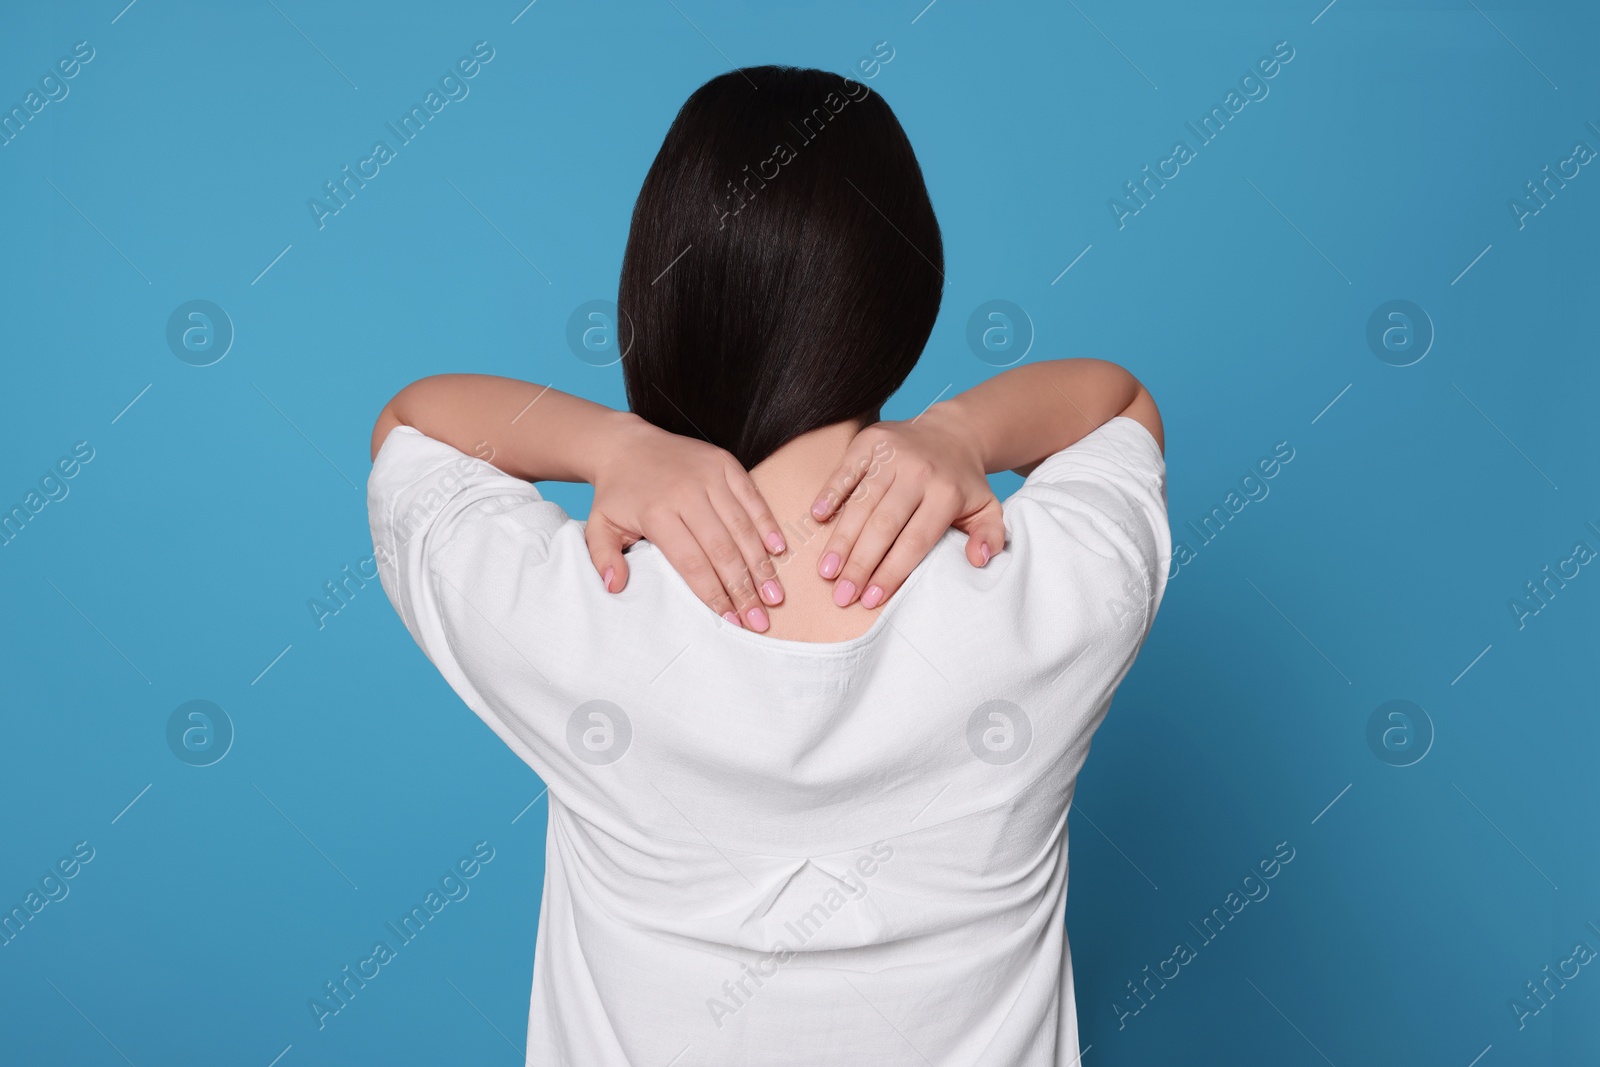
(823, 821)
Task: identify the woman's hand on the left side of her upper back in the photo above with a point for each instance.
(697, 505)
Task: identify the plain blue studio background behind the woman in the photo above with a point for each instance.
(1382, 565)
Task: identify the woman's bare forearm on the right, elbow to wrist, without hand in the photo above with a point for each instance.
(1028, 414)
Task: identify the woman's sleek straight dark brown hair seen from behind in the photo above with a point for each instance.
(783, 268)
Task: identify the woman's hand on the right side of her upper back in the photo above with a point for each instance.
(900, 487)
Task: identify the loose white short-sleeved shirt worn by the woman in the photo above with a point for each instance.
(777, 852)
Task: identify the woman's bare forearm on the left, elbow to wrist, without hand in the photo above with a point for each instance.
(529, 431)
